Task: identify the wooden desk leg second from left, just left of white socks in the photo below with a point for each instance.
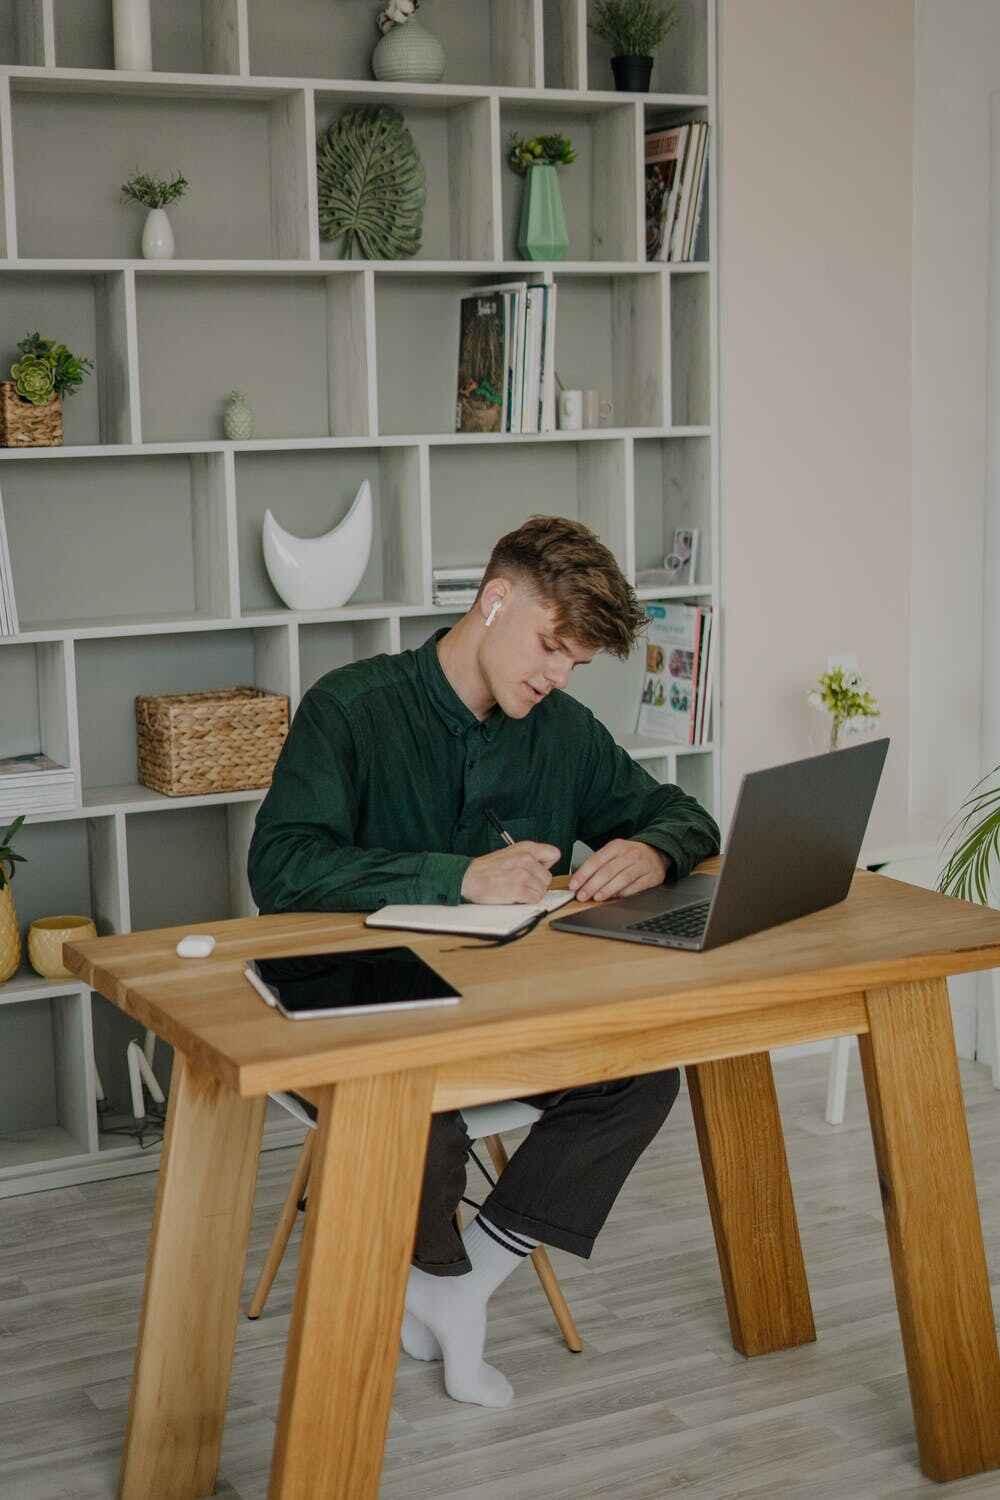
(344, 1342)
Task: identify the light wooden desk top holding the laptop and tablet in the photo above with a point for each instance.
(548, 988)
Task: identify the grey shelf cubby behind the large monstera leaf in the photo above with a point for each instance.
(454, 136)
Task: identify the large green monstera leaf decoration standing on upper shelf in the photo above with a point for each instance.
(373, 185)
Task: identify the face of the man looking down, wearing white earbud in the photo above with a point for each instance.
(524, 656)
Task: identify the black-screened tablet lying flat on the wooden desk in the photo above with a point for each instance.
(355, 983)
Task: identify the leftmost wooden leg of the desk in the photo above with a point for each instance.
(194, 1276)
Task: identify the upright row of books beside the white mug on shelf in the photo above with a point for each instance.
(507, 343)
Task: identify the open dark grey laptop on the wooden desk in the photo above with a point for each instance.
(792, 850)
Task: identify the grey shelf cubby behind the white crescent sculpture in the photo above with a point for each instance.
(310, 493)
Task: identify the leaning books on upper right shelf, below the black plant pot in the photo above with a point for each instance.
(677, 172)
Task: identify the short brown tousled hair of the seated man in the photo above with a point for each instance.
(570, 569)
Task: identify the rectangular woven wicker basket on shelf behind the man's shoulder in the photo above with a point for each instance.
(197, 743)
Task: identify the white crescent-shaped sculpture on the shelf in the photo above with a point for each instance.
(322, 572)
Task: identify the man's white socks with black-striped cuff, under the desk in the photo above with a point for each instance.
(454, 1310)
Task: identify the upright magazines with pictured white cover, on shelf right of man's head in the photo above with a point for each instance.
(677, 689)
